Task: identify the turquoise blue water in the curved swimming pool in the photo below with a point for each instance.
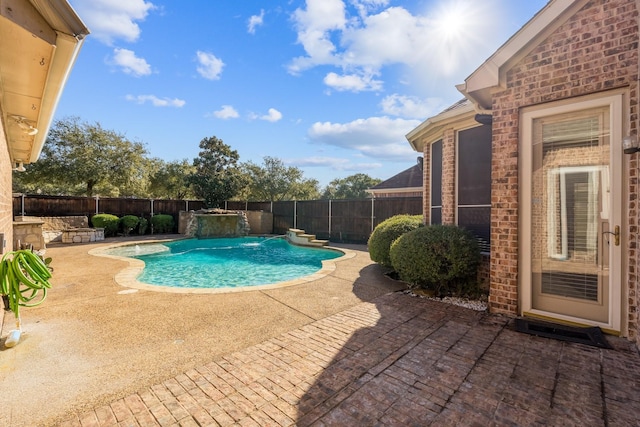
(225, 262)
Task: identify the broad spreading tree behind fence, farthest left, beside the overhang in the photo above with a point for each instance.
(82, 158)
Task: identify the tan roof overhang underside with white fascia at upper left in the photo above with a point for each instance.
(39, 41)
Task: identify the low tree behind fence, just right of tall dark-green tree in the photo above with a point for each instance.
(274, 181)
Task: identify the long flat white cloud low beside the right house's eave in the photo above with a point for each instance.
(377, 137)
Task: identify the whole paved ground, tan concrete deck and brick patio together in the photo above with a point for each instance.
(342, 350)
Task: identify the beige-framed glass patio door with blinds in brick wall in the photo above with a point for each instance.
(573, 238)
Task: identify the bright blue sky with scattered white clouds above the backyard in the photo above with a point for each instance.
(328, 86)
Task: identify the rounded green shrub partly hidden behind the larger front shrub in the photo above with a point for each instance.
(387, 232)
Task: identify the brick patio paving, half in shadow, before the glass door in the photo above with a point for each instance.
(398, 361)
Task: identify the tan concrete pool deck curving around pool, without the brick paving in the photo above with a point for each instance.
(93, 340)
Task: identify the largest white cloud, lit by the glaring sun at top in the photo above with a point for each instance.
(369, 35)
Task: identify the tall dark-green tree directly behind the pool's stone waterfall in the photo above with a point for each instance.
(216, 177)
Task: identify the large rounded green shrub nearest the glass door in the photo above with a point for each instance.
(440, 258)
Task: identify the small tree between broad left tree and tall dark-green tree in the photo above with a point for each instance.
(170, 180)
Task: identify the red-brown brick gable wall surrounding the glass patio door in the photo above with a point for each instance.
(594, 51)
